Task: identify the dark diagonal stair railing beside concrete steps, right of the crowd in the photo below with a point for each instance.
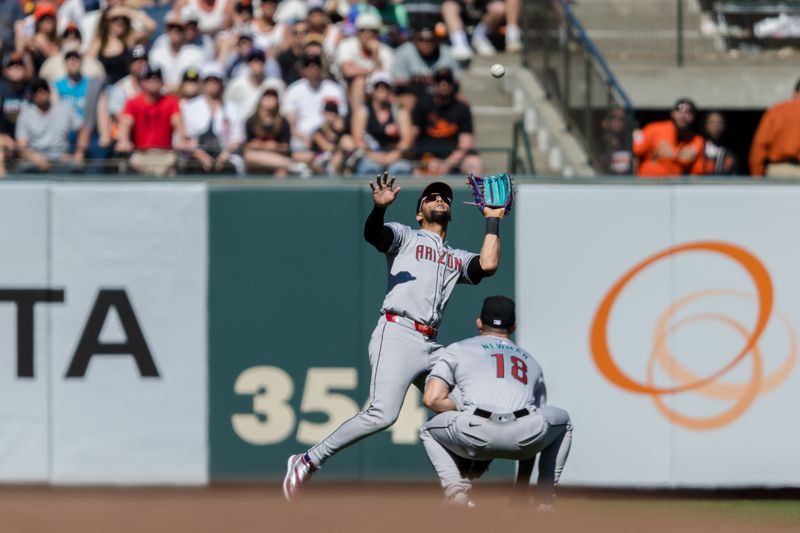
(579, 82)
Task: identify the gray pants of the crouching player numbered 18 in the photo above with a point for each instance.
(548, 431)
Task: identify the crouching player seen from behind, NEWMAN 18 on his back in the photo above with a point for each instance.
(502, 413)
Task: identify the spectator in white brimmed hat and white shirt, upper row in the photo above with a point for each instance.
(361, 55)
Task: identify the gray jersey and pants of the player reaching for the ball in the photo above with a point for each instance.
(422, 273)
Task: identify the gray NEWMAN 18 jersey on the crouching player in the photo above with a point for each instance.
(492, 373)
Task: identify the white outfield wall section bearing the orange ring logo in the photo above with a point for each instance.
(665, 318)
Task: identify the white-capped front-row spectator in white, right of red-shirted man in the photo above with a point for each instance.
(213, 127)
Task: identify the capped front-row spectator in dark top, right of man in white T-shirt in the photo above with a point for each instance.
(331, 144)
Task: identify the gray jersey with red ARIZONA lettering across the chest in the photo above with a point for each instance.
(423, 272)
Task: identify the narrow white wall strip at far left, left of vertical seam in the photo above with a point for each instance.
(23, 388)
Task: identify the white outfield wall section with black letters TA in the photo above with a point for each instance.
(120, 388)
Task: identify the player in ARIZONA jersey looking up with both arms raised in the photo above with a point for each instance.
(422, 273)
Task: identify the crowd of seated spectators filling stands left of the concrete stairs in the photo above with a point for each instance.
(276, 87)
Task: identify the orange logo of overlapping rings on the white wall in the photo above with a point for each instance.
(743, 395)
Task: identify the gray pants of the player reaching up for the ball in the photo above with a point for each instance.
(399, 356)
